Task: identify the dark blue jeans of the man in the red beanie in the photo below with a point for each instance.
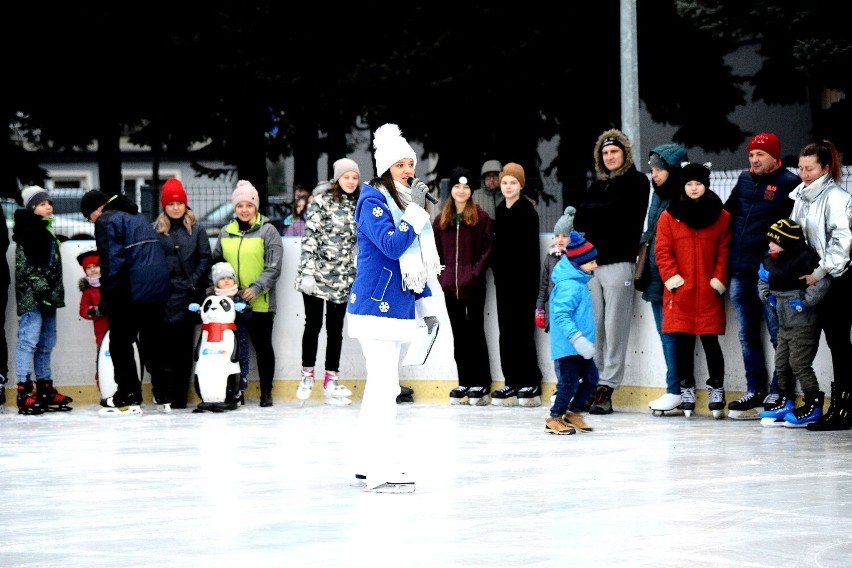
(750, 311)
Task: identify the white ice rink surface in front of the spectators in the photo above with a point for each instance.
(271, 487)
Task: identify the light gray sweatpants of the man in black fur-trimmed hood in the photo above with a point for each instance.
(612, 296)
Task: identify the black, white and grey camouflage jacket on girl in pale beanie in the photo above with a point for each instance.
(329, 247)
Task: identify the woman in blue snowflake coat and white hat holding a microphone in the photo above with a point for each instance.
(396, 256)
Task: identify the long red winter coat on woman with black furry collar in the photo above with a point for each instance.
(697, 255)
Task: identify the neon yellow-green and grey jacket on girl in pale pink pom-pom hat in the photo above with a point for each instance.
(256, 257)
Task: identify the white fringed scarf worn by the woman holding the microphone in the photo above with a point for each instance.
(420, 260)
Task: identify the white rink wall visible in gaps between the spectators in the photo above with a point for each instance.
(74, 355)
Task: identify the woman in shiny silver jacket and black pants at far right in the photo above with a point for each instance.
(824, 211)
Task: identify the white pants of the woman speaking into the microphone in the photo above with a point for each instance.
(377, 448)
